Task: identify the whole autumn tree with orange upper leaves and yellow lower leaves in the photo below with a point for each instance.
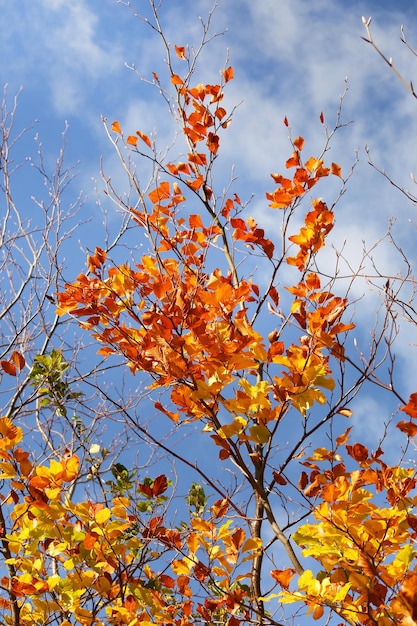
(244, 339)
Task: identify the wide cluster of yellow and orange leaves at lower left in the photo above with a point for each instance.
(90, 559)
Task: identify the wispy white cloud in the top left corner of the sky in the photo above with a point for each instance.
(59, 49)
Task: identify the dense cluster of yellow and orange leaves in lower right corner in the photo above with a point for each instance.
(365, 547)
